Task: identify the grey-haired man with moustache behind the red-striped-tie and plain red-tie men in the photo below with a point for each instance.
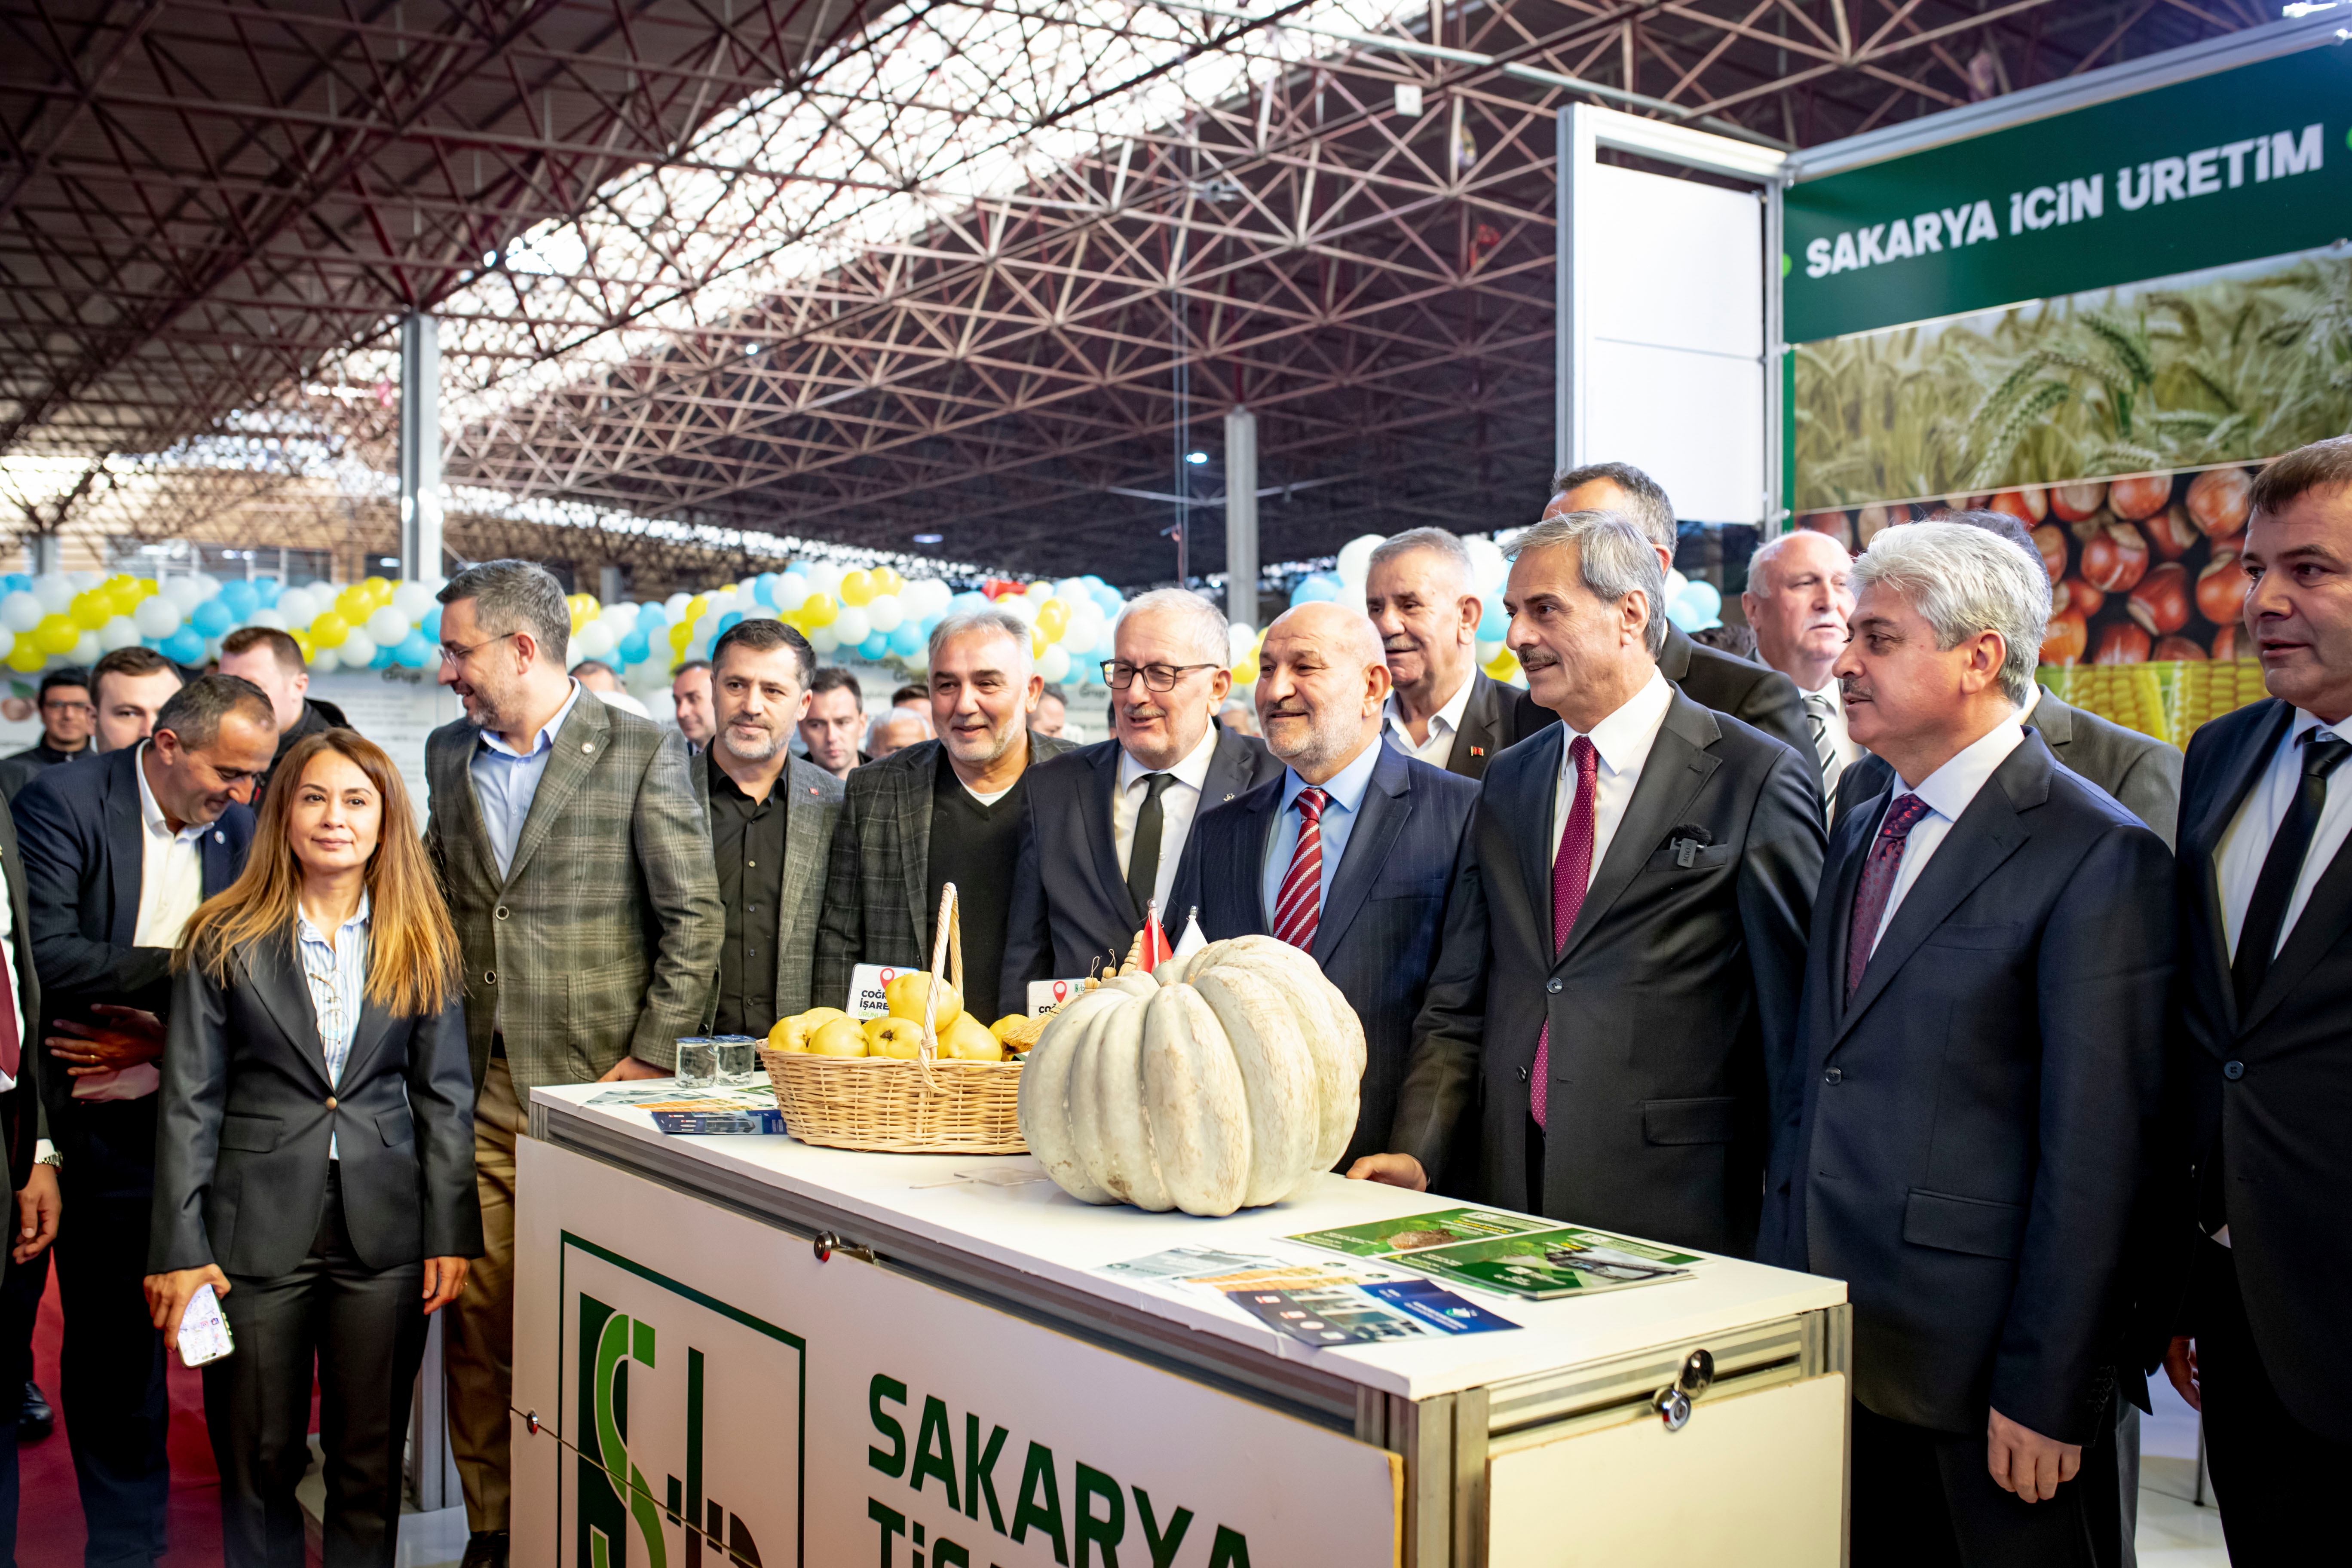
(1443, 709)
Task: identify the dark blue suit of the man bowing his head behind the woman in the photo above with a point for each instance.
(81, 855)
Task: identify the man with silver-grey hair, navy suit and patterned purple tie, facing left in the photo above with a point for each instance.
(1977, 1186)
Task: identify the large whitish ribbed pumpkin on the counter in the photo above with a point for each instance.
(1224, 1083)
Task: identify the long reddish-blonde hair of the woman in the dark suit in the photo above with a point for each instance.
(413, 960)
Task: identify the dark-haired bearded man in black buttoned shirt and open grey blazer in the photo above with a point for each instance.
(770, 826)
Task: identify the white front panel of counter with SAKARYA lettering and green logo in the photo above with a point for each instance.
(697, 1369)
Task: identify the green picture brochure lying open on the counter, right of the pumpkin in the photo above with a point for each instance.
(1509, 1252)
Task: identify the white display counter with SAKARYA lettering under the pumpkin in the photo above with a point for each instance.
(954, 1383)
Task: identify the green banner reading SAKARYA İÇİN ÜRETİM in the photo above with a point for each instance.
(2207, 173)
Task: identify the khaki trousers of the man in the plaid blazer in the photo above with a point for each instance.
(479, 1329)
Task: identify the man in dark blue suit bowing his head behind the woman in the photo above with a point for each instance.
(116, 855)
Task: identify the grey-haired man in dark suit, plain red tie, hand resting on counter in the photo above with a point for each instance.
(1617, 991)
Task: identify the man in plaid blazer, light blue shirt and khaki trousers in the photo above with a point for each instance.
(577, 871)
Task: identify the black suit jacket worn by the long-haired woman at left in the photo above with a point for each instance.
(248, 1113)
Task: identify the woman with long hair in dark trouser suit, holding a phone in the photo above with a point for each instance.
(316, 1151)
